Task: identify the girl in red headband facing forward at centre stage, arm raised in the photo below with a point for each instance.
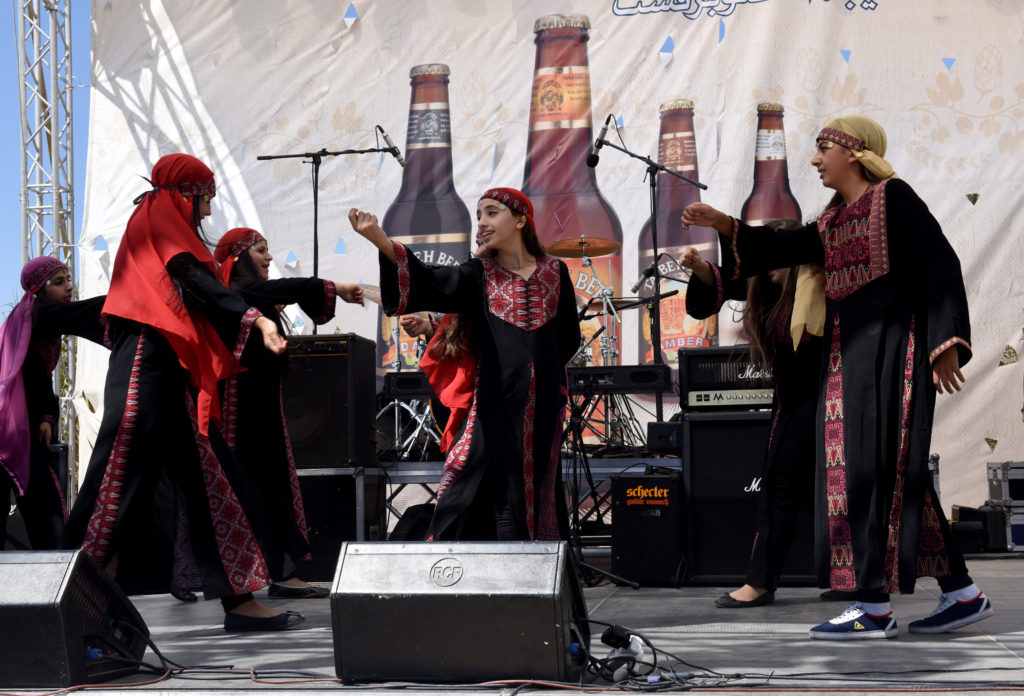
(502, 476)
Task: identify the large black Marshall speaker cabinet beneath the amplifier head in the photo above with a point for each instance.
(723, 465)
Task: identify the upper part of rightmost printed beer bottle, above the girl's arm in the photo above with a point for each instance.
(771, 199)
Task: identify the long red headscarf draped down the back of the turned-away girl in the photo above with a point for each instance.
(142, 291)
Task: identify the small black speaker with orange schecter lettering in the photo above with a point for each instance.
(648, 529)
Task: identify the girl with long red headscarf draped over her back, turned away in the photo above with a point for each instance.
(161, 507)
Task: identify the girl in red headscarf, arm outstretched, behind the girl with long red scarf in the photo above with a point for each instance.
(254, 423)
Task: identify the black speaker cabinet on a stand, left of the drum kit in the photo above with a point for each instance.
(330, 401)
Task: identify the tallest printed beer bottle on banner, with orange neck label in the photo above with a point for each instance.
(558, 180)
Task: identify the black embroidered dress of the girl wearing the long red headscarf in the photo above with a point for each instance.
(161, 506)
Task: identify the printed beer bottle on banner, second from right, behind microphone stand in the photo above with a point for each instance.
(677, 152)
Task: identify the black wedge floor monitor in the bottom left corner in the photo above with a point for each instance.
(64, 623)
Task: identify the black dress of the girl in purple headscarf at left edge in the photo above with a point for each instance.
(44, 506)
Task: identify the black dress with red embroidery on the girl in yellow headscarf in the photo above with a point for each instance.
(895, 300)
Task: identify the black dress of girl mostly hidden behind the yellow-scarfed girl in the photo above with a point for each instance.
(790, 460)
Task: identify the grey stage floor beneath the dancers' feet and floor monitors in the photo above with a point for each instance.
(765, 647)
